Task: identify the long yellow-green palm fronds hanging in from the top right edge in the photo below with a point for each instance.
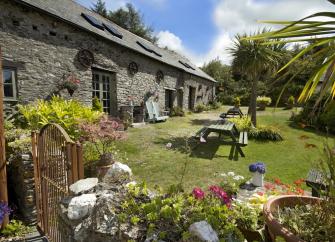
(321, 35)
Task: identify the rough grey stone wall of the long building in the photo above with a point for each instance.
(46, 50)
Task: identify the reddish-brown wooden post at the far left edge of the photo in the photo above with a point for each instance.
(3, 173)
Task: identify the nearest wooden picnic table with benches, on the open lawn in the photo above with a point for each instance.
(226, 129)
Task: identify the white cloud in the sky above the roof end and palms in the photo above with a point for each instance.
(240, 16)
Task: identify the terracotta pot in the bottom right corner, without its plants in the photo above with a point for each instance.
(274, 227)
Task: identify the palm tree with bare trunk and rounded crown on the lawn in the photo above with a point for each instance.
(252, 59)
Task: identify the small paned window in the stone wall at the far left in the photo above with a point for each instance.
(10, 84)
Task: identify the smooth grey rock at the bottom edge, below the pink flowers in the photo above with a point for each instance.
(203, 231)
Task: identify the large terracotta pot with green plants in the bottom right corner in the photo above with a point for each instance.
(304, 218)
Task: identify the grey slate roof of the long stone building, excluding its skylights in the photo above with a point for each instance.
(70, 12)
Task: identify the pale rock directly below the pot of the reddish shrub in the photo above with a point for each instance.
(117, 172)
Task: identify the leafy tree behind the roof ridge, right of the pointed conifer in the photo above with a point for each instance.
(132, 20)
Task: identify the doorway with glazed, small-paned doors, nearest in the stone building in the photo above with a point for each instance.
(104, 88)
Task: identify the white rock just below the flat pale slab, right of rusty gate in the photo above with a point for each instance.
(80, 206)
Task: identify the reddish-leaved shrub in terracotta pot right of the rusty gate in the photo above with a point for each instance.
(103, 134)
